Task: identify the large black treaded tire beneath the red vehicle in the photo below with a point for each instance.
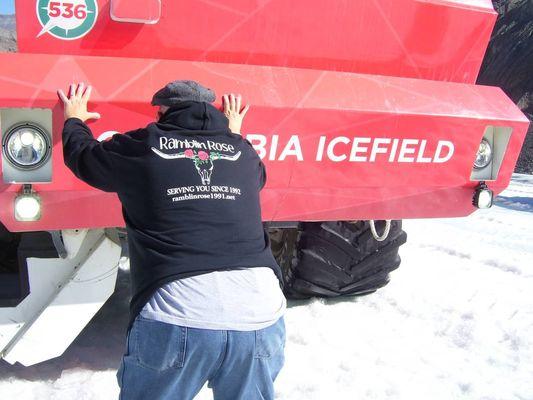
(331, 259)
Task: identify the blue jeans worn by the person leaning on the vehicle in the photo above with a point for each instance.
(165, 361)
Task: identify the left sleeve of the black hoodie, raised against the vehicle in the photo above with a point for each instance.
(89, 159)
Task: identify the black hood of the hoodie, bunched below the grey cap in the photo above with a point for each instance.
(193, 116)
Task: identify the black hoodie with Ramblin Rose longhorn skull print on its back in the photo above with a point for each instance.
(189, 189)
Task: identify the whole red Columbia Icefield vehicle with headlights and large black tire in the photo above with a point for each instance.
(364, 113)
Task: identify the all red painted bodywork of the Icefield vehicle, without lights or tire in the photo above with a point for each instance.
(287, 59)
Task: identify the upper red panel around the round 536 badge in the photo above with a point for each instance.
(429, 39)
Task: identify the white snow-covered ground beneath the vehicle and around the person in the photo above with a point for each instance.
(456, 322)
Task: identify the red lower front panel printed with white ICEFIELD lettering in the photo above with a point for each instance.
(300, 103)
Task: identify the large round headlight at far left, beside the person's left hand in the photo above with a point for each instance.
(26, 146)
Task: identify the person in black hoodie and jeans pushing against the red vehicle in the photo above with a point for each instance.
(207, 304)
